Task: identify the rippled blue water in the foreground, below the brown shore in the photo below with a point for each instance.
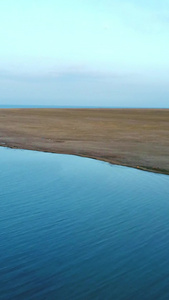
(76, 228)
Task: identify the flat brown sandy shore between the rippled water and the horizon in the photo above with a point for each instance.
(136, 138)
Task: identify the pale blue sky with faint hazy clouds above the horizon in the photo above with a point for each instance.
(84, 53)
